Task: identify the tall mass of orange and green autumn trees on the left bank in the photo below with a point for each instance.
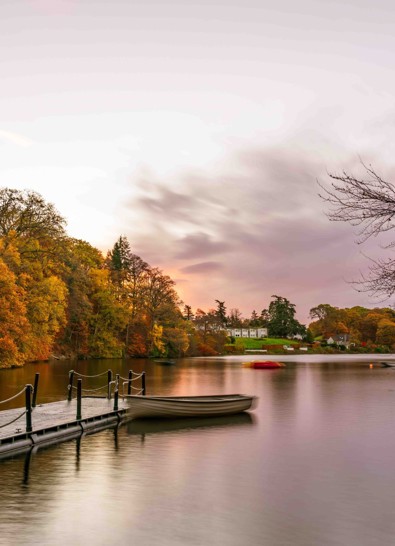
(60, 295)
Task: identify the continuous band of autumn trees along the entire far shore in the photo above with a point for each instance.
(61, 297)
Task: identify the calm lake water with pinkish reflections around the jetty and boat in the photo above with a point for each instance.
(314, 464)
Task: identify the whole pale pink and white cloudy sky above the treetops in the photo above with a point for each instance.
(199, 130)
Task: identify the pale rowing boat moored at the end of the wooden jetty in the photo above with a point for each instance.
(170, 407)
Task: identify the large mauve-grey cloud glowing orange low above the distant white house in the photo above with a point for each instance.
(253, 228)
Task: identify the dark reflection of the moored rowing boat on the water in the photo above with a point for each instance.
(155, 426)
